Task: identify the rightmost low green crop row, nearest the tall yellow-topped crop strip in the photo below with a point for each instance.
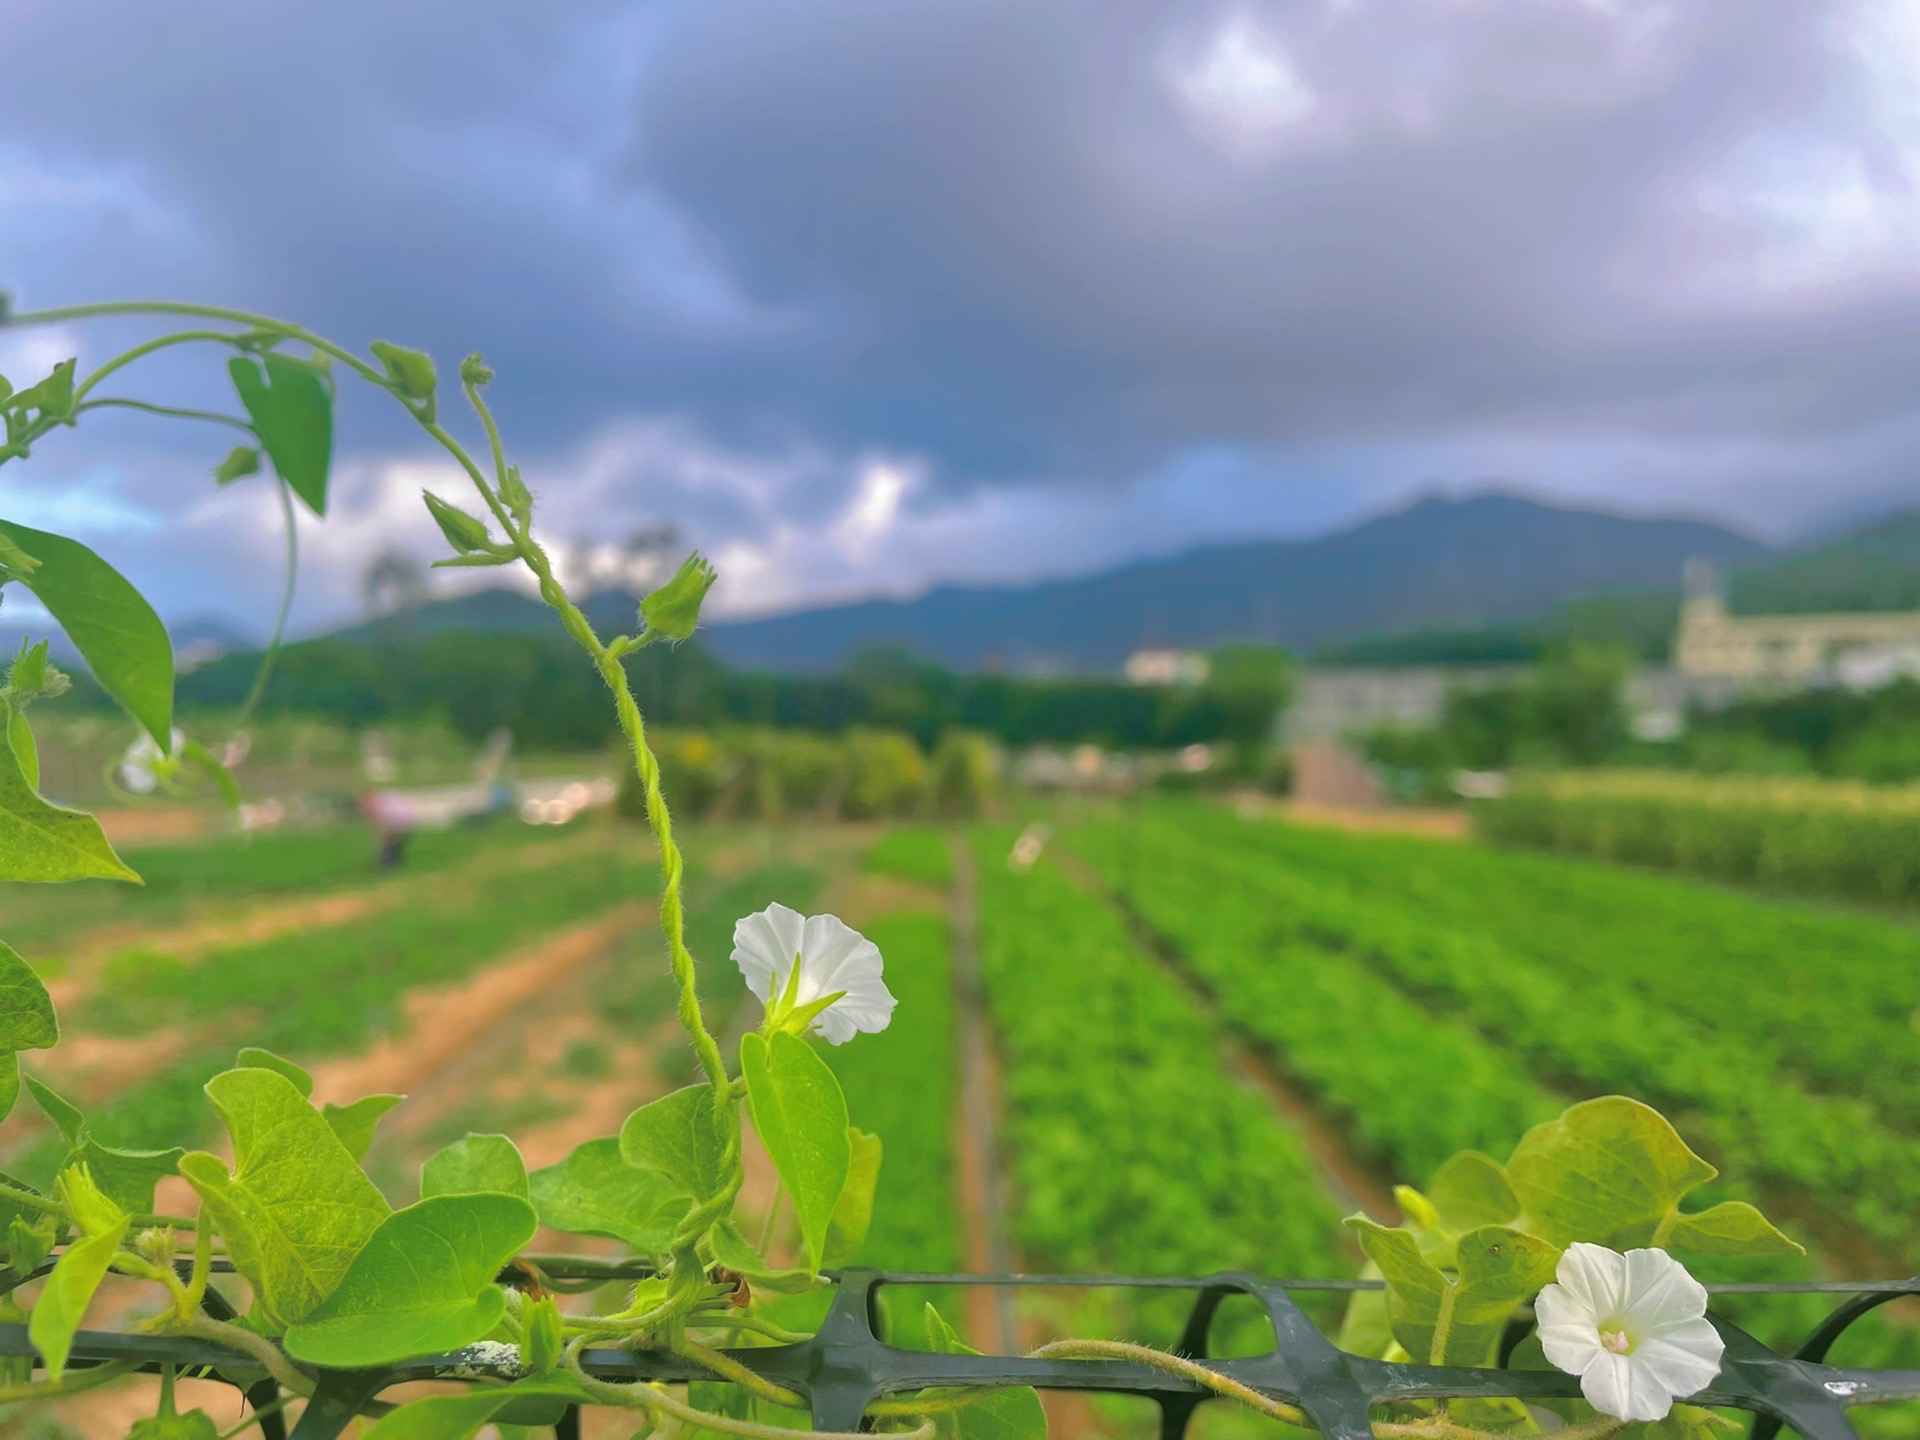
(1813, 994)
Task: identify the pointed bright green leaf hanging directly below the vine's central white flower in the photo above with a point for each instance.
(802, 1118)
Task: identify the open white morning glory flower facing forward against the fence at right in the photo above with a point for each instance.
(1633, 1328)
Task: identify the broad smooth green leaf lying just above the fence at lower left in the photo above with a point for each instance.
(423, 1284)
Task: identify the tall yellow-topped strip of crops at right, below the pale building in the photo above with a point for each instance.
(1819, 838)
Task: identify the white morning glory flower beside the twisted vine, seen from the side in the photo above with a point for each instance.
(834, 990)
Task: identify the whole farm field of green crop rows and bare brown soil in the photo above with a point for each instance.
(1207, 1038)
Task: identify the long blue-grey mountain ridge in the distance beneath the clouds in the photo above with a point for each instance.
(1437, 564)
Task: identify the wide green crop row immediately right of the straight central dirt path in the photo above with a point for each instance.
(1134, 1151)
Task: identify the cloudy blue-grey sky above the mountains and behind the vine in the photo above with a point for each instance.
(869, 295)
